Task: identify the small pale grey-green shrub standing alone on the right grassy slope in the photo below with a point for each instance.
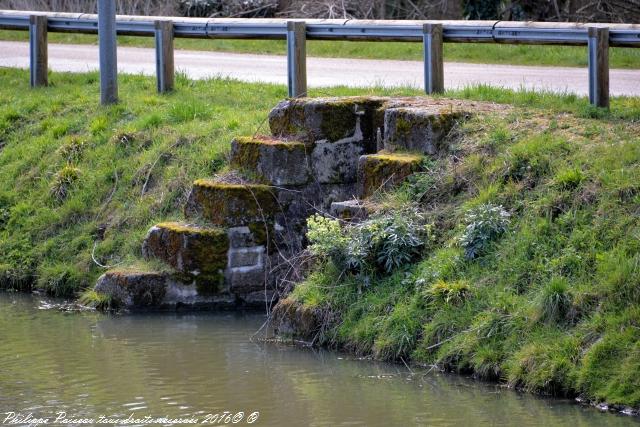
(485, 224)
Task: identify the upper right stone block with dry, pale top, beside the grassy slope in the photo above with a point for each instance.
(420, 129)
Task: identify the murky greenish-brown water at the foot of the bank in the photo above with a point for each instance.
(191, 365)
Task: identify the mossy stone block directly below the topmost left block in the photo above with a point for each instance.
(279, 162)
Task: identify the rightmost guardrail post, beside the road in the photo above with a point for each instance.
(598, 46)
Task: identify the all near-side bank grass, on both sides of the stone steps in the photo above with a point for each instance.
(551, 307)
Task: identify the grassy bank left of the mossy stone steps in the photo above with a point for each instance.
(74, 175)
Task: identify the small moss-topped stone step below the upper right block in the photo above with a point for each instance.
(383, 171)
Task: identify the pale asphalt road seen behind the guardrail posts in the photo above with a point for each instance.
(323, 72)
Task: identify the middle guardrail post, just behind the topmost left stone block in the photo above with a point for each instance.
(297, 58)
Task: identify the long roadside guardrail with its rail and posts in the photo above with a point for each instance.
(431, 33)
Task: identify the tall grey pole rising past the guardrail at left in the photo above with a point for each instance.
(108, 52)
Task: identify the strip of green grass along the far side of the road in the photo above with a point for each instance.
(456, 52)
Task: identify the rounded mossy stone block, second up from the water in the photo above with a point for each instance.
(188, 248)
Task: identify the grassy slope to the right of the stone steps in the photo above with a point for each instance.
(553, 305)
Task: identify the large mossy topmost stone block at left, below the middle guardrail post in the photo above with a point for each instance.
(330, 119)
